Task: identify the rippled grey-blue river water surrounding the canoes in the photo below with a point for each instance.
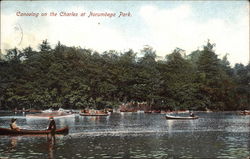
(133, 135)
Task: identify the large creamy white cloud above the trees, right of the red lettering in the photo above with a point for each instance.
(177, 28)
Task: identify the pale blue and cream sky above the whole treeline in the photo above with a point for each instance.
(163, 25)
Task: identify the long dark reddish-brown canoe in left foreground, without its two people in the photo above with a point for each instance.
(6, 131)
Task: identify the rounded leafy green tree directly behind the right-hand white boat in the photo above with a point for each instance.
(180, 90)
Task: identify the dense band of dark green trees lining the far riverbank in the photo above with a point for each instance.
(72, 77)
